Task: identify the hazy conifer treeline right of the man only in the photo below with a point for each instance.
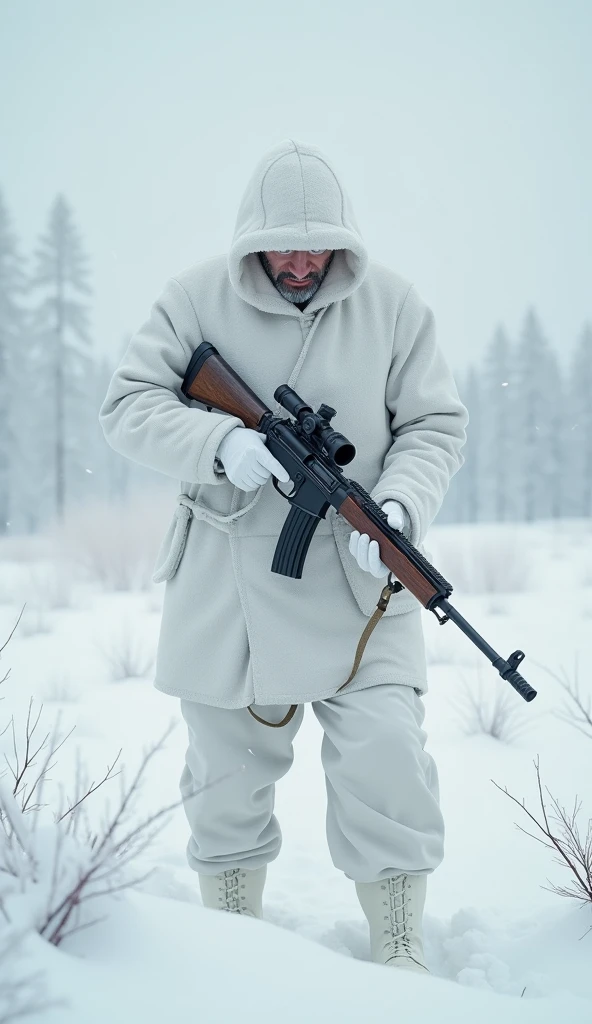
(529, 450)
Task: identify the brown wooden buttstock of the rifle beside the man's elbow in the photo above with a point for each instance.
(217, 385)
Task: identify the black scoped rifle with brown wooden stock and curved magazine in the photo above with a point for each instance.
(313, 453)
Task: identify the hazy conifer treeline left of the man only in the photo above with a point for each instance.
(53, 452)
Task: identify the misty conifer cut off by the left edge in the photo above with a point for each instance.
(13, 377)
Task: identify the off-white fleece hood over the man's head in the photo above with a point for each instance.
(295, 200)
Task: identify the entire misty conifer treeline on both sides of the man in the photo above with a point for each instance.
(529, 451)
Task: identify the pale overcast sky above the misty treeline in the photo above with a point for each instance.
(462, 132)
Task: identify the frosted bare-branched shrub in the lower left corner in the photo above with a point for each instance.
(64, 867)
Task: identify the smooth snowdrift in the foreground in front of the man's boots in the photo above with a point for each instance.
(158, 956)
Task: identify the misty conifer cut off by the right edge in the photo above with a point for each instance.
(579, 433)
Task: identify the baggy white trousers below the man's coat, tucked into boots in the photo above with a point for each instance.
(384, 815)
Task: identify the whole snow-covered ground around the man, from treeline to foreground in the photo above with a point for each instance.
(499, 945)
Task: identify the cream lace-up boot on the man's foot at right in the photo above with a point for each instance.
(394, 908)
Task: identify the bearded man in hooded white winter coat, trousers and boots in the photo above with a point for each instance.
(297, 300)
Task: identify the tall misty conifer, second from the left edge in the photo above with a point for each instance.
(64, 364)
